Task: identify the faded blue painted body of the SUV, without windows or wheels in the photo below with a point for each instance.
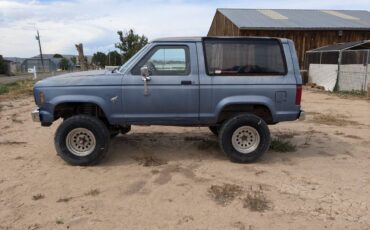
(168, 101)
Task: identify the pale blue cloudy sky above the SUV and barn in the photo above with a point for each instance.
(95, 22)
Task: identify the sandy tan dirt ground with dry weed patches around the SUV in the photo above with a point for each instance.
(177, 178)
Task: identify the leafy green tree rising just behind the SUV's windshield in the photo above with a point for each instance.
(130, 43)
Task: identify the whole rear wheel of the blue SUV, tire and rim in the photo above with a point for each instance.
(244, 138)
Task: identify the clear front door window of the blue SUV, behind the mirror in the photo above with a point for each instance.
(165, 60)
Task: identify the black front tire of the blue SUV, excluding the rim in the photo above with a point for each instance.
(99, 130)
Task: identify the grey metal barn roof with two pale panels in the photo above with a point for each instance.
(294, 19)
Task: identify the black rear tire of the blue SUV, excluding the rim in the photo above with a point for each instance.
(232, 124)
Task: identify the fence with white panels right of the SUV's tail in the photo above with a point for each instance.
(344, 70)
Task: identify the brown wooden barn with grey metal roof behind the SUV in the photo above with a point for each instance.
(309, 29)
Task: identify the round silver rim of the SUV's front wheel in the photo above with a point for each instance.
(80, 142)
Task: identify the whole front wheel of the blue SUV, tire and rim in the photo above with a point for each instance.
(82, 140)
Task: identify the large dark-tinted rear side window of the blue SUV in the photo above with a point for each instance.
(244, 57)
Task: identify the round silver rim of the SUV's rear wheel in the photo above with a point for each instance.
(245, 139)
